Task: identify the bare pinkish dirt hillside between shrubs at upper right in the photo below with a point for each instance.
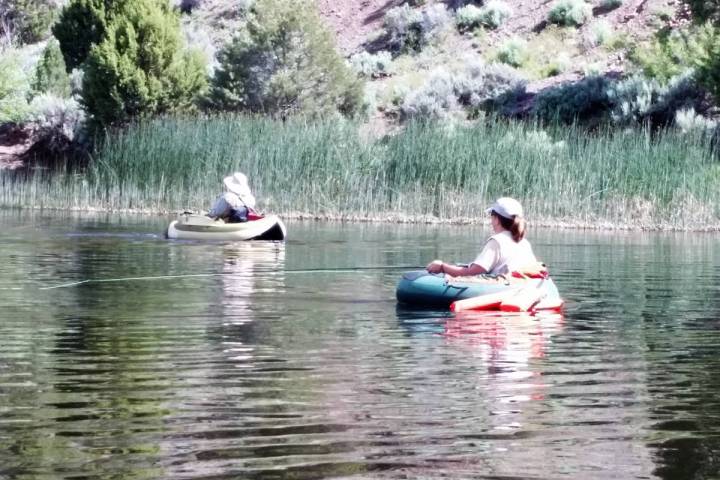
(619, 29)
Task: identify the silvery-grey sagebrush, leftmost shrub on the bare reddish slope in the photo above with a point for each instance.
(410, 30)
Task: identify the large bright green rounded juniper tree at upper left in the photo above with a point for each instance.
(140, 67)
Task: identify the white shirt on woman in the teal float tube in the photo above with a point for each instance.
(503, 255)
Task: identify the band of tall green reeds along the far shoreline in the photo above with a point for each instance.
(614, 178)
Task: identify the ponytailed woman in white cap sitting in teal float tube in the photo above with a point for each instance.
(506, 251)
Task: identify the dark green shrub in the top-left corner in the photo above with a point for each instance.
(27, 21)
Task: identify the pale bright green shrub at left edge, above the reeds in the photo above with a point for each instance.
(14, 87)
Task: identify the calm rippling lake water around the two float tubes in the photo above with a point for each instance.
(249, 361)
